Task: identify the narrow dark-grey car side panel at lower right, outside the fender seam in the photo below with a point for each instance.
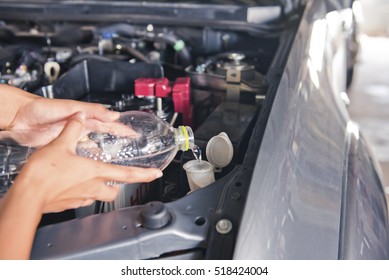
(364, 230)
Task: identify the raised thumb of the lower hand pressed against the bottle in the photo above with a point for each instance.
(71, 132)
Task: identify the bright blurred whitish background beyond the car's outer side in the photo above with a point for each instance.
(369, 91)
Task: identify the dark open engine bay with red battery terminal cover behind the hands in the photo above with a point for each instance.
(213, 79)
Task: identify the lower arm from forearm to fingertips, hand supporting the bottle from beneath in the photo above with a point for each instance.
(55, 179)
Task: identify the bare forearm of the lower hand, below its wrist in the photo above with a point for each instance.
(19, 217)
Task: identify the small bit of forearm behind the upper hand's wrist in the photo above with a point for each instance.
(12, 99)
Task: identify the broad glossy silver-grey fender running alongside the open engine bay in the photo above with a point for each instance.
(293, 209)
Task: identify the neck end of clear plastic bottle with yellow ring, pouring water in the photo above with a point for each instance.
(140, 139)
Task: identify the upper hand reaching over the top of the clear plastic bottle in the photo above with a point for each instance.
(36, 121)
